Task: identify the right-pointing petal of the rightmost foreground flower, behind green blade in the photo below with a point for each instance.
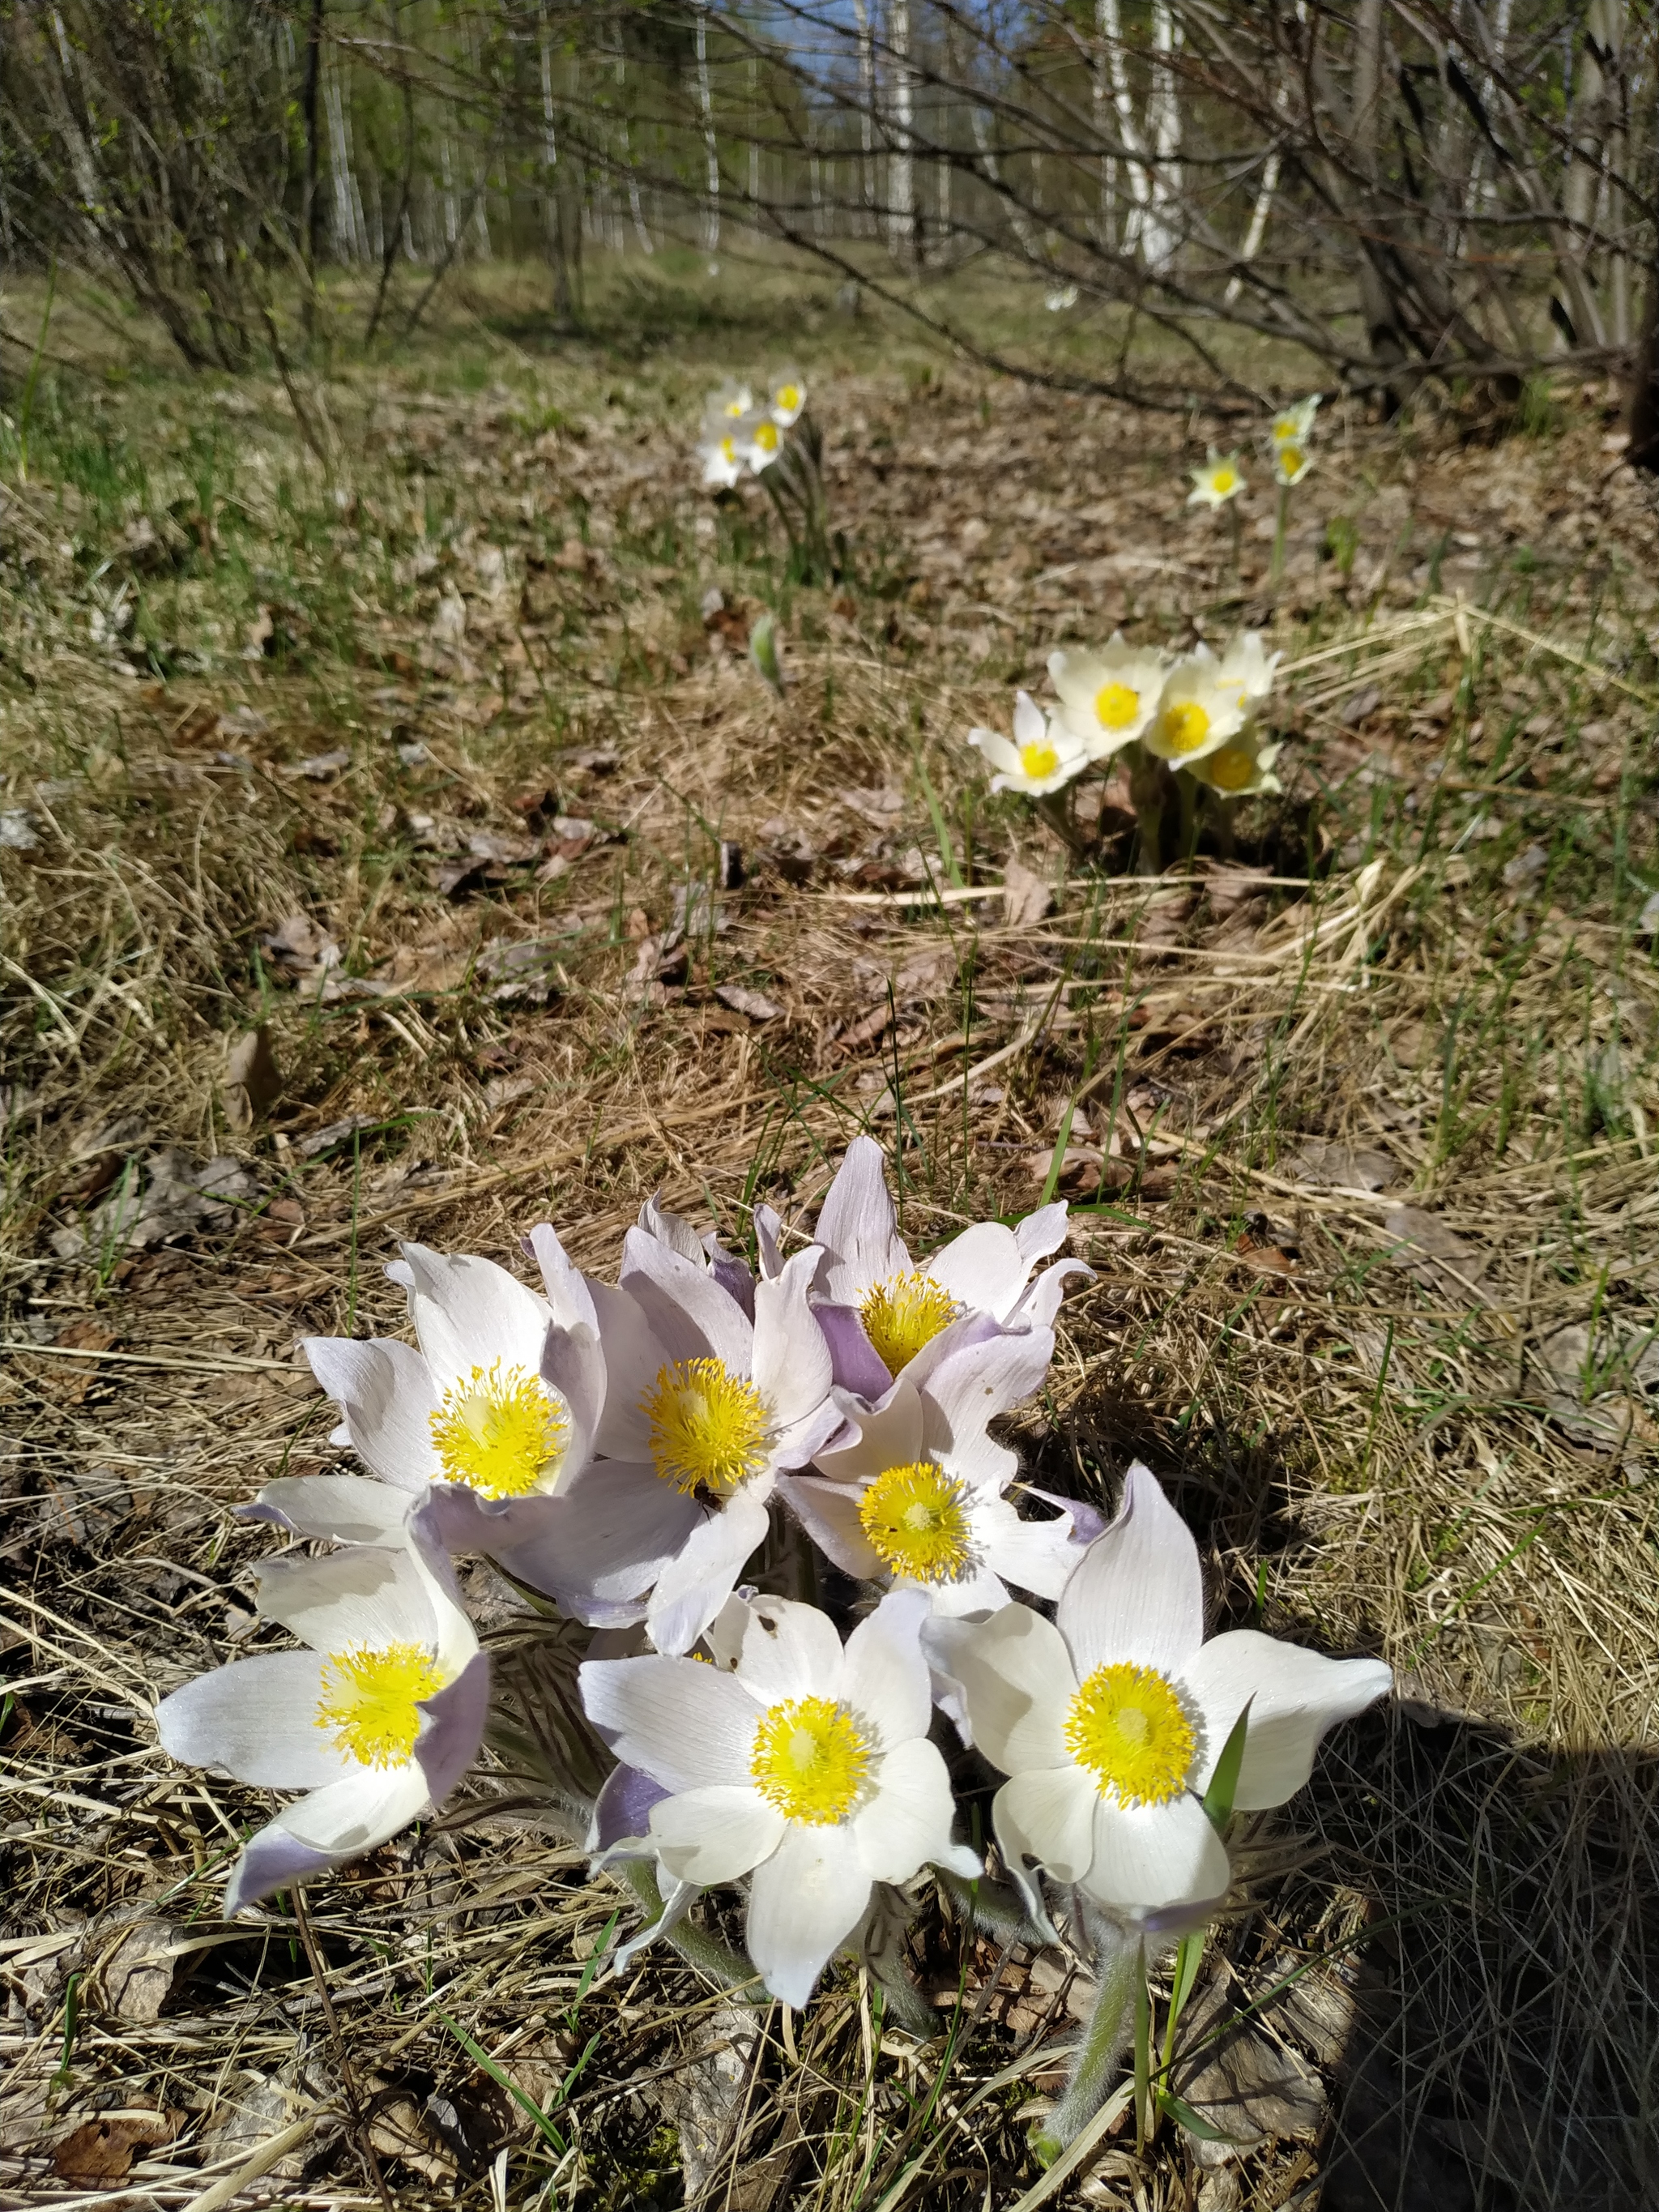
(1297, 1698)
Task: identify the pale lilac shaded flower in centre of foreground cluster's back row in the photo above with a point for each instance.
(702, 1410)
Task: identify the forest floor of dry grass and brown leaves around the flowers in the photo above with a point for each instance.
(406, 718)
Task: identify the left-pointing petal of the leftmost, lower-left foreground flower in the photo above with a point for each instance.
(255, 1720)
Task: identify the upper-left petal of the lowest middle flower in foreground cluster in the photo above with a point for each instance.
(678, 1720)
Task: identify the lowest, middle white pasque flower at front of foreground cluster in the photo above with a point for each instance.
(806, 1768)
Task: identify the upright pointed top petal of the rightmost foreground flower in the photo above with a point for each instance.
(1138, 1592)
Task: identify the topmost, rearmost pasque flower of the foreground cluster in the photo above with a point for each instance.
(879, 1308)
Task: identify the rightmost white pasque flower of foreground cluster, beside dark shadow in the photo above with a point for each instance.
(1112, 1722)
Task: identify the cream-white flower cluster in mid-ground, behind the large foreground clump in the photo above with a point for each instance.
(1193, 711)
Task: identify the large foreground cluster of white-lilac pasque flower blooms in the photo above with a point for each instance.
(627, 1450)
